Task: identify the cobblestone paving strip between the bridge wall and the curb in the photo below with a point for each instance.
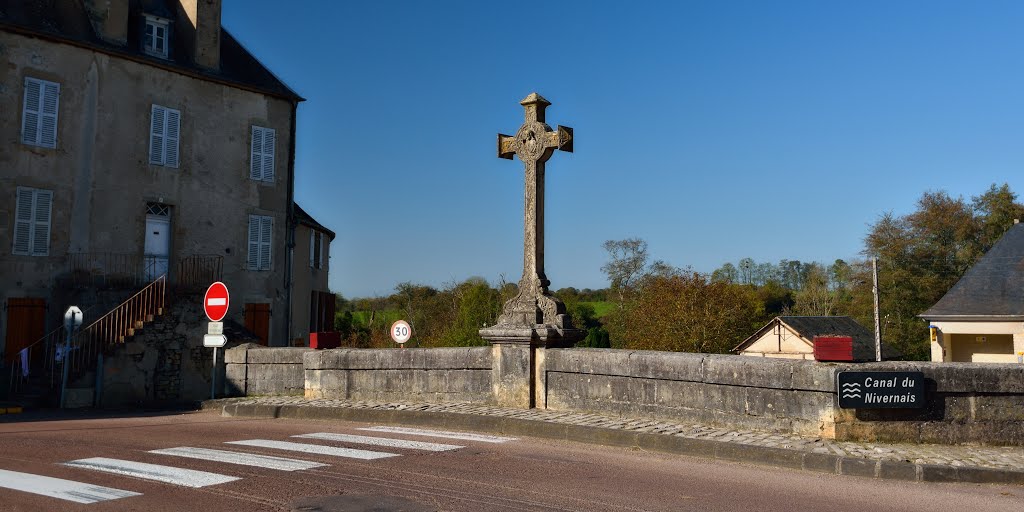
(1003, 458)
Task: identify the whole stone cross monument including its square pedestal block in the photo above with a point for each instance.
(534, 319)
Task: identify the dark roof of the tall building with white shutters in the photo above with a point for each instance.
(69, 22)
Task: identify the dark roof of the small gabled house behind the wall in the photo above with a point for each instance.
(809, 327)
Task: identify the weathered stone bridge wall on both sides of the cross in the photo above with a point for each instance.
(968, 404)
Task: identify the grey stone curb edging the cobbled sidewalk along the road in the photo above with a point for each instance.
(765, 456)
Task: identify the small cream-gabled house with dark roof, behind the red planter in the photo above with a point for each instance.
(793, 338)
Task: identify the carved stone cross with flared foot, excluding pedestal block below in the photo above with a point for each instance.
(534, 315)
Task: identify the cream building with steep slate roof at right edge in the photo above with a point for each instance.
(982, 318)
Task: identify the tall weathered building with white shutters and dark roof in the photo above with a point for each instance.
(141, 140)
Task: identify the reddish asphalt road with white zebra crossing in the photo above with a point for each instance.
(524, 475)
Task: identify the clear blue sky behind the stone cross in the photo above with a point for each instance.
(714, 131)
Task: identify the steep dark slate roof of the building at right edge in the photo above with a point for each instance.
(993, 289)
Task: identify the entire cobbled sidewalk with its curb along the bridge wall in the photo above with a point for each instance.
(903, 462)
